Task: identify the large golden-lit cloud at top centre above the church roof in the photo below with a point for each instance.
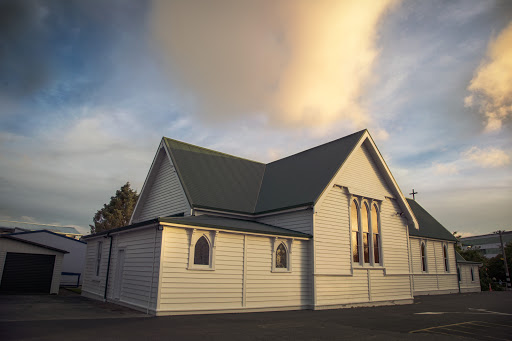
(300, 64)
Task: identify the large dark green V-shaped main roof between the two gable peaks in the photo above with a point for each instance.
(220, 181)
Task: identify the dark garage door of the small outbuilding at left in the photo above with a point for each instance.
(27, 273)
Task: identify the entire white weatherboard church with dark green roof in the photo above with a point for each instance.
(324, 228)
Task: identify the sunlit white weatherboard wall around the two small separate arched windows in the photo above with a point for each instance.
(237, 283)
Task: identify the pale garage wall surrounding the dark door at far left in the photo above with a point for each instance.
(9, 245)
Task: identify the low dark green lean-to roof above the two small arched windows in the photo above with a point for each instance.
(233, 225)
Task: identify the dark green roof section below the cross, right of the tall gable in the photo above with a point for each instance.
(429, 226)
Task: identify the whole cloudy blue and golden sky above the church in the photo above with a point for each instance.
(88, 88)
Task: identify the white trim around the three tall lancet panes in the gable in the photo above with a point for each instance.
(370, 202)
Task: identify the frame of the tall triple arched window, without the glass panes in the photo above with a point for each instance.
(371, 205)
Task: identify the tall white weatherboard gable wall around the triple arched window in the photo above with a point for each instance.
(338, 282)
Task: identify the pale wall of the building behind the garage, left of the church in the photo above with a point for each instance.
(74, 261)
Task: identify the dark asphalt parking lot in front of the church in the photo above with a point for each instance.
(478, 316)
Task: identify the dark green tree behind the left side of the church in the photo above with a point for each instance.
(117, 212)
